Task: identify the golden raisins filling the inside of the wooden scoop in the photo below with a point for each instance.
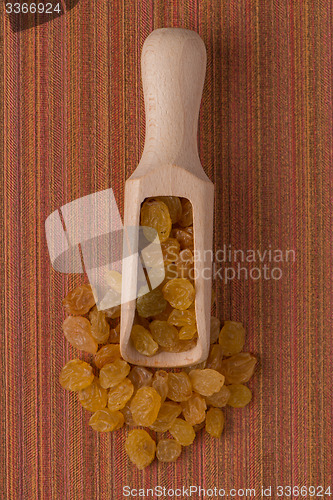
(165, 317)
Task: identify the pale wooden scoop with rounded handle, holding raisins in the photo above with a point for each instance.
(173, 71)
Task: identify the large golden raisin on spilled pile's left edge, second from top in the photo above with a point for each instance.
(77, 331)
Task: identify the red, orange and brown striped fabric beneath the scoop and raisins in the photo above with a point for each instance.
(72, 123)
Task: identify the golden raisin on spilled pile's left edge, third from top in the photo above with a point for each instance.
(76, 375)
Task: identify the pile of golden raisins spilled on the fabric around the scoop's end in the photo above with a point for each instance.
(177, 402)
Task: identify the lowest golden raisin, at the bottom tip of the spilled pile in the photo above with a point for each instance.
(140, 448)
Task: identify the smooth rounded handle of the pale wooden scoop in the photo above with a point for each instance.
(173, 65)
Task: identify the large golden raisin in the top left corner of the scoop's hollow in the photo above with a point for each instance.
(155, 214)
